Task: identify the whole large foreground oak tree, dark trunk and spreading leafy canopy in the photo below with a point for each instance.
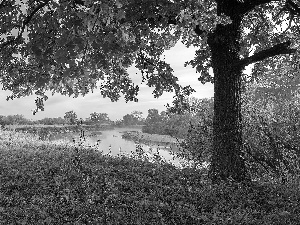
(67, 46)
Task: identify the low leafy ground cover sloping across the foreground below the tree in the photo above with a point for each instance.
(55, 183)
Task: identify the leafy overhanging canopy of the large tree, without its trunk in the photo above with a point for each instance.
(69, 46)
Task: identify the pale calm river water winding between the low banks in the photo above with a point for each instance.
(111, 142)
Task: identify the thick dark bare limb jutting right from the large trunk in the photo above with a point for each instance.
(281, 48)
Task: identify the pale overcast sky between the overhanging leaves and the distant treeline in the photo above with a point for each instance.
(57, 105)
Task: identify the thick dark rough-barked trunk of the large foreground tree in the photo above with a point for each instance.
(227, 161)
